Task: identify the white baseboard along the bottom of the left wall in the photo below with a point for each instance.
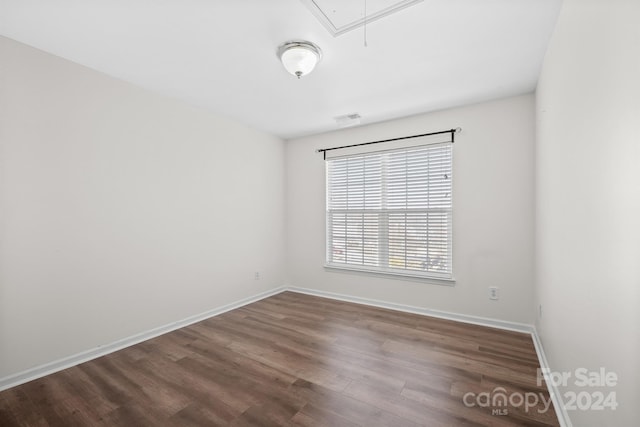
(85, 356)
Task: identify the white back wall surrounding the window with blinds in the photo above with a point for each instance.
(493, 212)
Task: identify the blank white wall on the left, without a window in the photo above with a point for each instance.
(121, 210)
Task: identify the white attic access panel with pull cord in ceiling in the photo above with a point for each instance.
(340, 16)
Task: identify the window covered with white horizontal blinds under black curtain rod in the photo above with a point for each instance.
(391, 211)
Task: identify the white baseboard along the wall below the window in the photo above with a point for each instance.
(475, 320)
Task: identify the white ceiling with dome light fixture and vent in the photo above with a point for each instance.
(221, 54)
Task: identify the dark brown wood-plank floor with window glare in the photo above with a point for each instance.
(295, 359)
